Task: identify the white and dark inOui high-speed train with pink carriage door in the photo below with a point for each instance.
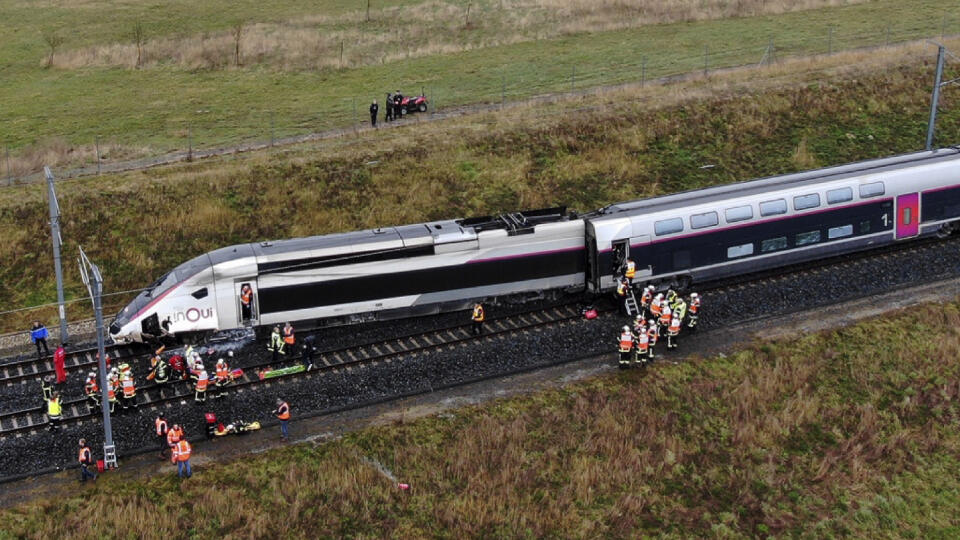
(675, 240)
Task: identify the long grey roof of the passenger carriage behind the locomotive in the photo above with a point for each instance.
(776, 183)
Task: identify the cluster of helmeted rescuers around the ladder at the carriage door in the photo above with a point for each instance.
(660, 316)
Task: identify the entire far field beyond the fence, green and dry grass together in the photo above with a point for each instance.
(514, 51)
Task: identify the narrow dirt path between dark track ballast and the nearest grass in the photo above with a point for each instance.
(330, 426)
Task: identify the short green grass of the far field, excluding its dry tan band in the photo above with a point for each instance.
(159, 108)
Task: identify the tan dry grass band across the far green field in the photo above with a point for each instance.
(313, 42)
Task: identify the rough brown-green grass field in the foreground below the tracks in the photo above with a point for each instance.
(848, 433)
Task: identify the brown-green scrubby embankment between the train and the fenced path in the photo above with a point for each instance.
(621, 146)
